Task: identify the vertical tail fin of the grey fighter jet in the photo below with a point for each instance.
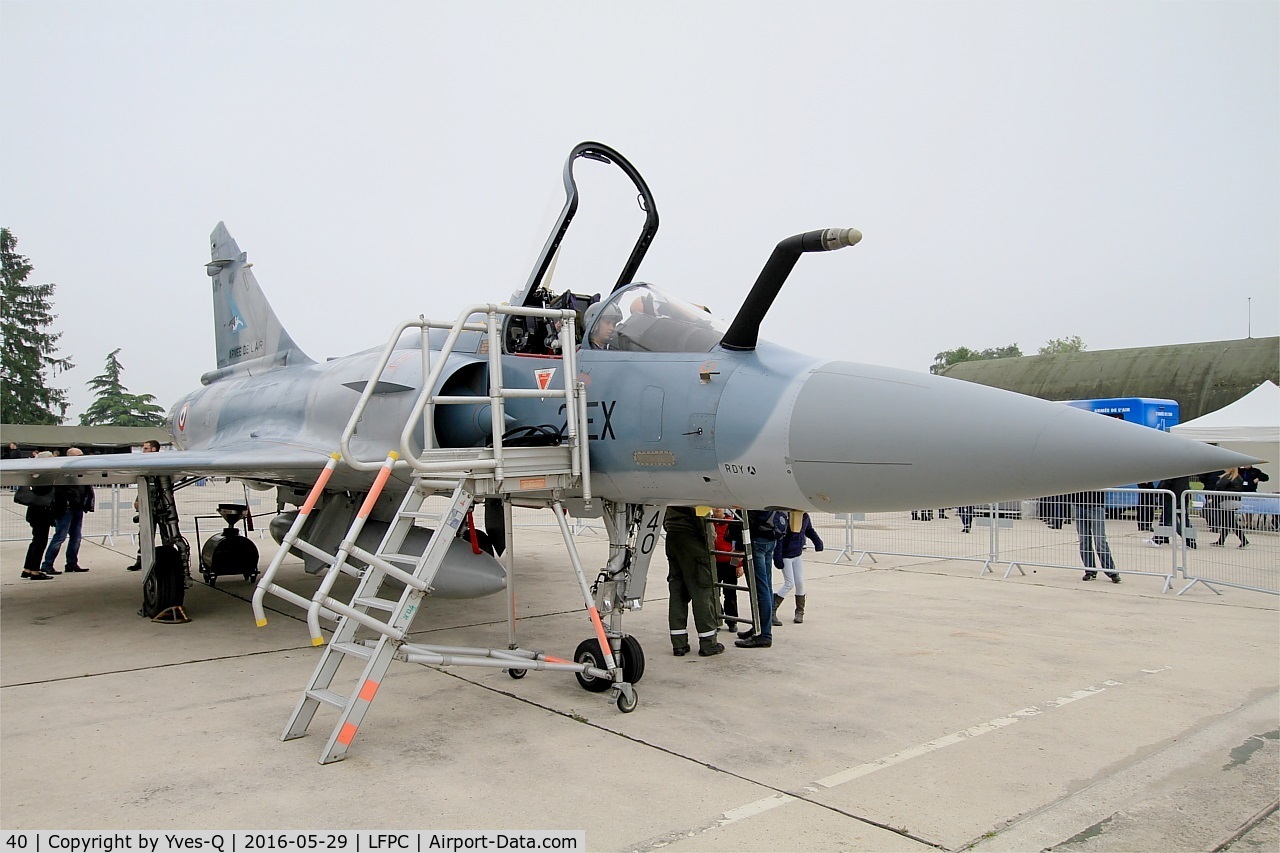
(248, 335)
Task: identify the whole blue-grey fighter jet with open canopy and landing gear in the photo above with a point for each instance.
(657, 402)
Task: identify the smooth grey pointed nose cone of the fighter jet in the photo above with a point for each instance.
(875, 439)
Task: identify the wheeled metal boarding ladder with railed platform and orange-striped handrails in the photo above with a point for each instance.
(461, 473)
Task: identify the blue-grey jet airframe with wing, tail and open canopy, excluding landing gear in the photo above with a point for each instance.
(682, 410)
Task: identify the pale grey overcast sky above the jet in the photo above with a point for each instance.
(1021, 171)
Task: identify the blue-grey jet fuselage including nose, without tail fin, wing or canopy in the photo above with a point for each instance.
(764, 428)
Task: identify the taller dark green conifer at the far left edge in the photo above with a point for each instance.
(26, 348)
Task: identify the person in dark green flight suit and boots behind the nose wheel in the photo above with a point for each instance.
(692, 581)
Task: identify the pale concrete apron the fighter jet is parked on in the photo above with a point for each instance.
(920, 708)
